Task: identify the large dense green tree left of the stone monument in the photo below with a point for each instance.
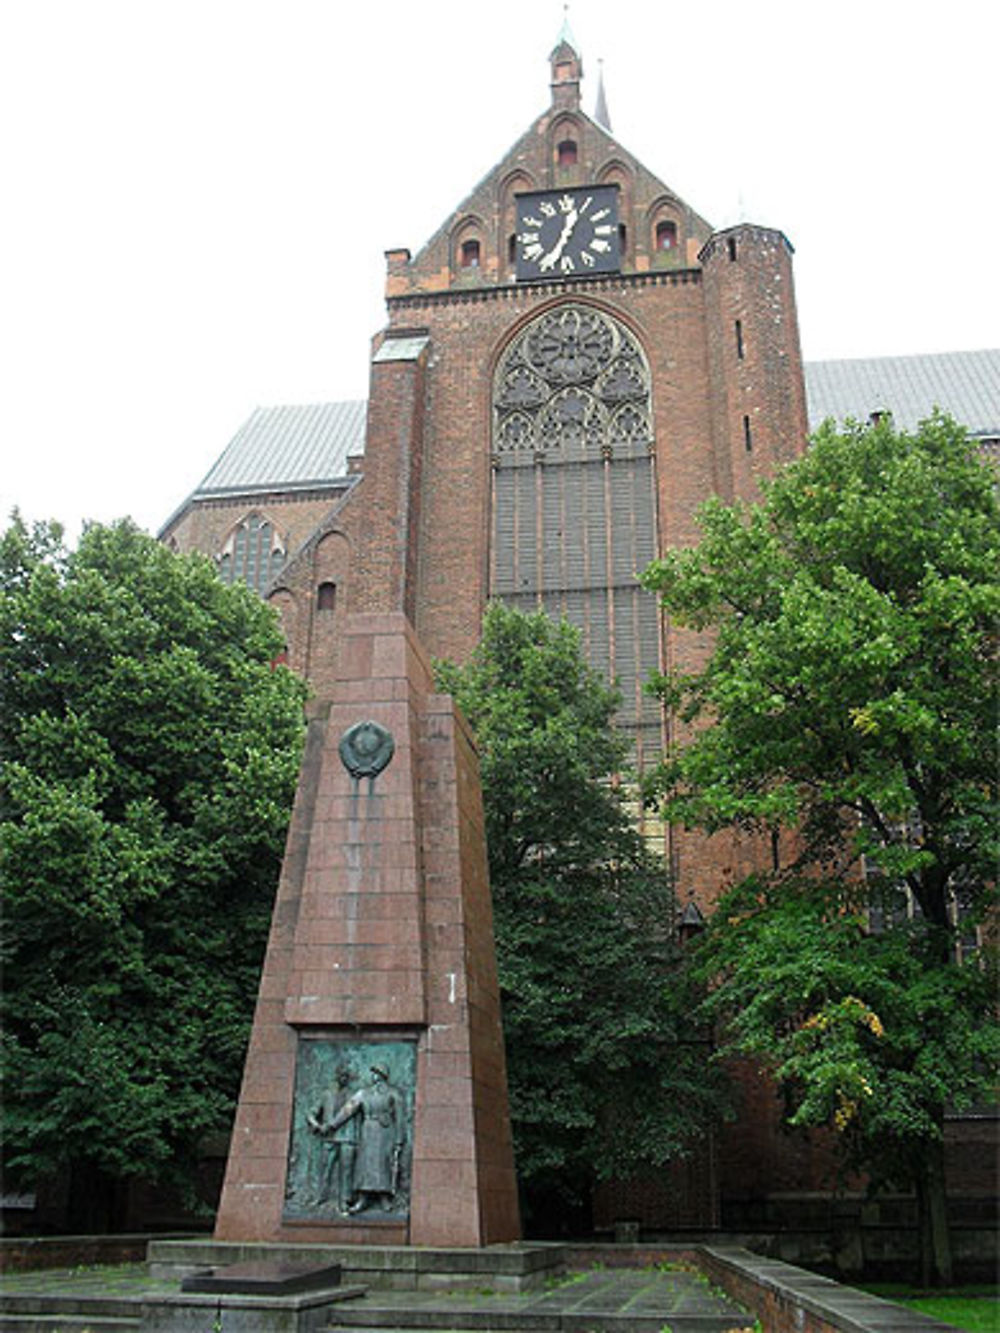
(149, 760)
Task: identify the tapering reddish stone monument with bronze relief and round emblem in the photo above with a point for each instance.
(374, 1104)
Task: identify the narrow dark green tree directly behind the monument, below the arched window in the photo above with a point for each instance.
(603, 1074)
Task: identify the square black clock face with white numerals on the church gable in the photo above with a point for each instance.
(569, 233)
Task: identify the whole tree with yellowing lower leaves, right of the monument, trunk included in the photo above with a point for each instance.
(853, 699)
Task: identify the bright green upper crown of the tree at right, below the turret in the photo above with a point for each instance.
(853, 691)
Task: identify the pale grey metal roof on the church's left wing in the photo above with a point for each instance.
(290, 449)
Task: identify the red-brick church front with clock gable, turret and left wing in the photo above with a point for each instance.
(571, 365)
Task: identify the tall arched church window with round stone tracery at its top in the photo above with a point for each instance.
(574, 495)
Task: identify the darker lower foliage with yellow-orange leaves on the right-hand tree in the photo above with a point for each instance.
(867, 1032)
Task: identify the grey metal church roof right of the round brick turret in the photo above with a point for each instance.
(965, 385)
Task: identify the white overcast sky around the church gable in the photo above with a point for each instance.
(198, 194)
